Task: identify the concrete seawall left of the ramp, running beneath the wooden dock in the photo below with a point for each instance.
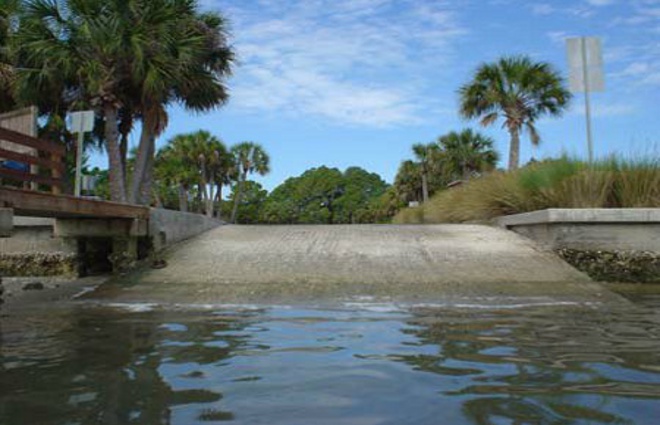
(45, 246)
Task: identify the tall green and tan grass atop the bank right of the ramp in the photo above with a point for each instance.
(560, 183)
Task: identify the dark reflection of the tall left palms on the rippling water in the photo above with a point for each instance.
(104, 366)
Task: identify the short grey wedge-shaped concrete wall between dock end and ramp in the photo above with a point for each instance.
(168, 227)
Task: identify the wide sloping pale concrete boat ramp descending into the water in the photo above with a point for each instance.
(413, 262)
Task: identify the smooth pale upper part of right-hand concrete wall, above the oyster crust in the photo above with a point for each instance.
(634, 229)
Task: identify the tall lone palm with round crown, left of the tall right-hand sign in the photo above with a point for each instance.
(518, 90)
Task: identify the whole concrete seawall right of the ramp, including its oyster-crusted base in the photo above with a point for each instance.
(609, 244)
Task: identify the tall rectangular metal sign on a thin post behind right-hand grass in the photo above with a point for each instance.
(585, 59)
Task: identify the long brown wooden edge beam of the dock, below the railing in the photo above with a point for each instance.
(41, 204)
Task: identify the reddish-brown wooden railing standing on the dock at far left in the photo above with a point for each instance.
(49, 157)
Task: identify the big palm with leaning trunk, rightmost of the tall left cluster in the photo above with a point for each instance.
(188, 65)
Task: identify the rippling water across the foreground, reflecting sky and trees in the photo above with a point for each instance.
(354, 363)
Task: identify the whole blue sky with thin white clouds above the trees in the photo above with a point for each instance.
(357, 82)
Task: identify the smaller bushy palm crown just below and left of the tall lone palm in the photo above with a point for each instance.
(468, 152)
